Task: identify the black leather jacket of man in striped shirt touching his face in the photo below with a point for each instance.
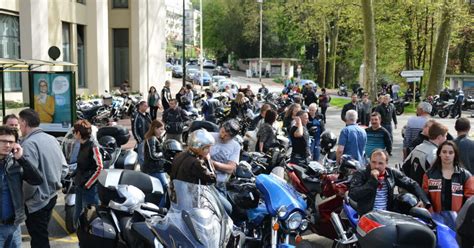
(364, 187)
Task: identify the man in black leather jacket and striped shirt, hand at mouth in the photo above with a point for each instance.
(373, 188)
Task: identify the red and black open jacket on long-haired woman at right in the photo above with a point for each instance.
(462, 187)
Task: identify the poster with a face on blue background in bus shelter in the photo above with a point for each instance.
(52, 96)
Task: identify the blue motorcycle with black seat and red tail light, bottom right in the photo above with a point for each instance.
(381, 228)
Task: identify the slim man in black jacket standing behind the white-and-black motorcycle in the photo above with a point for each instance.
(140, 124)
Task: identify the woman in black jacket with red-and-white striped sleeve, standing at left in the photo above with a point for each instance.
(89, 166)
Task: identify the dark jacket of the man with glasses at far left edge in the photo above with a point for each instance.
(16, 172)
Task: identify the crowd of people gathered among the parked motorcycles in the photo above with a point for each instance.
(437, 168)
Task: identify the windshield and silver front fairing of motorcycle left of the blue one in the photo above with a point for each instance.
(199, 209)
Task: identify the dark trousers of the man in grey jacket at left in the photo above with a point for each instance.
(37, 224)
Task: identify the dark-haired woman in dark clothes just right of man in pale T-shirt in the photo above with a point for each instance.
(266, 133)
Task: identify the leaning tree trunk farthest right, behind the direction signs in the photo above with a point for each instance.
(440, 54)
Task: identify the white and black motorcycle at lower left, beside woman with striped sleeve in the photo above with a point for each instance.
(126, 197)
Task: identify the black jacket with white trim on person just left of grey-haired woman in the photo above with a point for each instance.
(153, 159)
